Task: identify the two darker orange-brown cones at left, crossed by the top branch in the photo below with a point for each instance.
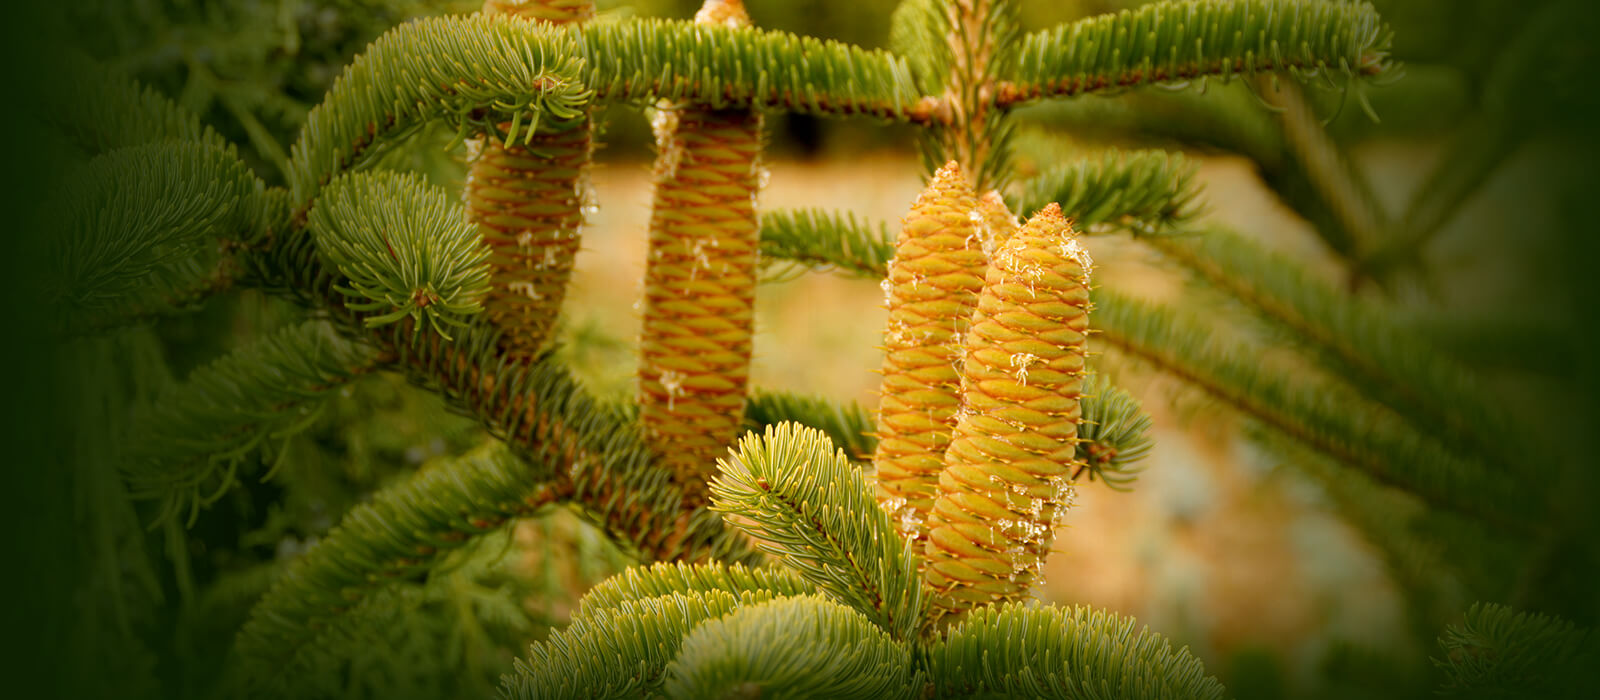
(700, 280)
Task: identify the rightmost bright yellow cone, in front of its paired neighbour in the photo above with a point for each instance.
(1009, 471)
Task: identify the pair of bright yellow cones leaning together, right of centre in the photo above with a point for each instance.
(983, 372)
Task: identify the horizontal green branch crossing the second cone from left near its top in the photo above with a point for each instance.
(719, 68)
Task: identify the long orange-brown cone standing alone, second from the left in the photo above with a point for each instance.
(700, 280)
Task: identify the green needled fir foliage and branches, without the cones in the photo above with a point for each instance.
(391, 602)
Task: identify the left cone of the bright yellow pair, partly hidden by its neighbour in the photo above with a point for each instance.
(932, 292)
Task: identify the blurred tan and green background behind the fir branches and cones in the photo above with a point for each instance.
(1217, 546)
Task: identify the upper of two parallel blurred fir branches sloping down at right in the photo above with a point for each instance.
(1356, 340)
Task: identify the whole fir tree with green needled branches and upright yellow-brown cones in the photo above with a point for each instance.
(284, 514)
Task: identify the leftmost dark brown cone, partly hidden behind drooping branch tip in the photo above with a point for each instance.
(529, 202)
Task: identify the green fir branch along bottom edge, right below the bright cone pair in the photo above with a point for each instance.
(1033, 651)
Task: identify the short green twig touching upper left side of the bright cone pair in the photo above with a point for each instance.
(828, 241)
